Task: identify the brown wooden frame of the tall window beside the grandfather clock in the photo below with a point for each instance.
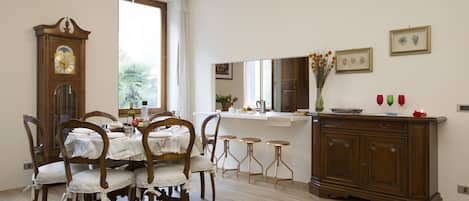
(164, 12)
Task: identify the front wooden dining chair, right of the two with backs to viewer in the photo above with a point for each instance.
(156, 176)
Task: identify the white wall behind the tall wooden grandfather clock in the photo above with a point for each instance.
(18, 69)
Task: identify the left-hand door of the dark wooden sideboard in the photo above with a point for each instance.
(340, 158)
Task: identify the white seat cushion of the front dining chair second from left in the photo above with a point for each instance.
(89, 181)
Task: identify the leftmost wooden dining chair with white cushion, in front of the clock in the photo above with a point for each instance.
(46, 172)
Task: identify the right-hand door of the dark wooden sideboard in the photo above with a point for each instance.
(384, 164)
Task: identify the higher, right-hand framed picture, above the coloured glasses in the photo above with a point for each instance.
(410, 41)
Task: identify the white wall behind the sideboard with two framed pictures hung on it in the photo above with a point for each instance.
(274, 28)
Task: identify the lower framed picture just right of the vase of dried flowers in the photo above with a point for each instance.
(354, 60)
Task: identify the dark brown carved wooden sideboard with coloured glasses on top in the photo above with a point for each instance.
(375, 157)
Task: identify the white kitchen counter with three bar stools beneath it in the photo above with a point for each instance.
(266, 126)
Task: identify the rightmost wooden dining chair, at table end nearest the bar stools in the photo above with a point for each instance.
(201, 164)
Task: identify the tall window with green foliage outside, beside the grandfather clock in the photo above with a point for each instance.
(142, 54)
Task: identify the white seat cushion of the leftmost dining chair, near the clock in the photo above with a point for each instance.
(54, 173)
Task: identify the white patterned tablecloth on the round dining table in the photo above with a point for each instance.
(130, 148)
